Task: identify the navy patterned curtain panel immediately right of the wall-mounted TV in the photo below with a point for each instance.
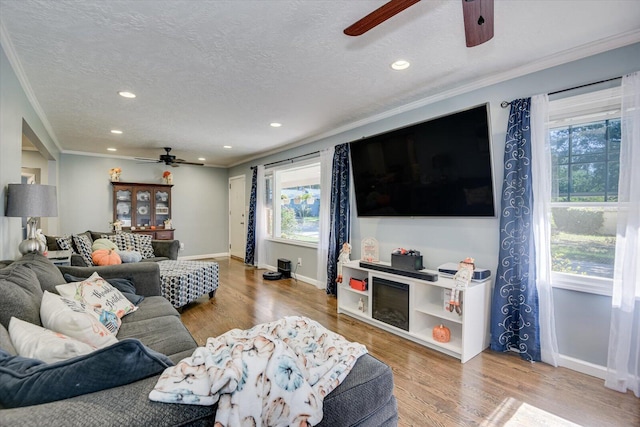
(514, 310)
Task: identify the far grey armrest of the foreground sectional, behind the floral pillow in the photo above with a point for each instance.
(145, 275)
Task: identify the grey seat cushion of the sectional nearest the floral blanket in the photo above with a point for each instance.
(165, 334)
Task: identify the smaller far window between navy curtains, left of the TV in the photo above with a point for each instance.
(293, 202)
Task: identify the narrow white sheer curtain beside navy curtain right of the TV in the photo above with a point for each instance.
(541, 175)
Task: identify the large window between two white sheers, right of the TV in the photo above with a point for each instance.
(584, 136)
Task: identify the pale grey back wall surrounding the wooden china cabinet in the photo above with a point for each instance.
(199, 199)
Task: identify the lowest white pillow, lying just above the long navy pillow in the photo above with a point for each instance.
(36, 342)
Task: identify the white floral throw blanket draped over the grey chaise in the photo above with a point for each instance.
(276, 373)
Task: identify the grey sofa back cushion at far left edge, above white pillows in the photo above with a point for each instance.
(20, 295)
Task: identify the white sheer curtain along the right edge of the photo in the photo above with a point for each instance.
(624, 338)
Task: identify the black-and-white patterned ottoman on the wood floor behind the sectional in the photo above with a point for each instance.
(183, 282)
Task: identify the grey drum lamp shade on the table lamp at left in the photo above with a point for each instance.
(32, 200)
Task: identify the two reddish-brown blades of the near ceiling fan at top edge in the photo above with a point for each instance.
(478, 19)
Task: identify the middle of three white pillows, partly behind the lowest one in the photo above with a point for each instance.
(74, 319)
